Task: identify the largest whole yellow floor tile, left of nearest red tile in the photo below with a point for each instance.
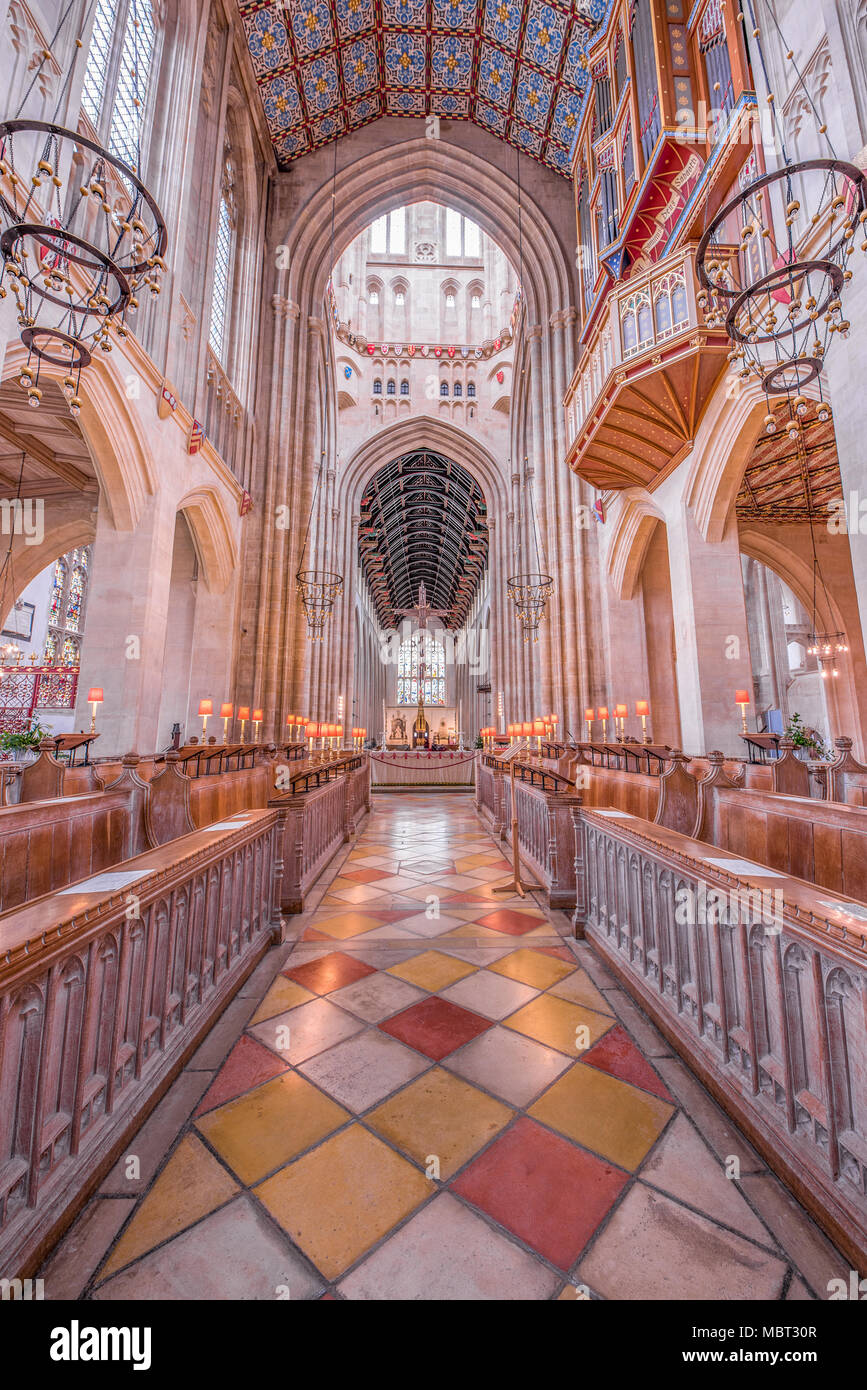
(340, 1200)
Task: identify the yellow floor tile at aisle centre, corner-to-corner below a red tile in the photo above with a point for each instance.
(440, 1117)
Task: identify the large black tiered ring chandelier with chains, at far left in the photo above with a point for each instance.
(81, 237)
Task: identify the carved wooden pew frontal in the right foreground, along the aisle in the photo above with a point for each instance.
(759, 981)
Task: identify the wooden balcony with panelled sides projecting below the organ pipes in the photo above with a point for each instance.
(644, 380)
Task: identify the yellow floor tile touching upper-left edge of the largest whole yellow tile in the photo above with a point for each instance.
(269, 1127)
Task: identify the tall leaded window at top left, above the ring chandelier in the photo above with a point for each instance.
(120, 66)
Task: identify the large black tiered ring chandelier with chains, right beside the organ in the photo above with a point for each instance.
(775, 263)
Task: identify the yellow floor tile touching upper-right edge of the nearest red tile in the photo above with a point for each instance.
(609, 1117)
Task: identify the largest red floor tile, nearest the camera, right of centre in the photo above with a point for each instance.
(548, 1192)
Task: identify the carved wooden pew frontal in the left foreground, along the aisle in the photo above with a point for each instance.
(106, 989)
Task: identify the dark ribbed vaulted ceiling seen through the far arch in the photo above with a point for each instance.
(423, 522)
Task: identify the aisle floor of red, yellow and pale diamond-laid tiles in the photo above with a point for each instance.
(434, 1093)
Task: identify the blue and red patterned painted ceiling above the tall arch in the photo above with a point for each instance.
(515, 67)
